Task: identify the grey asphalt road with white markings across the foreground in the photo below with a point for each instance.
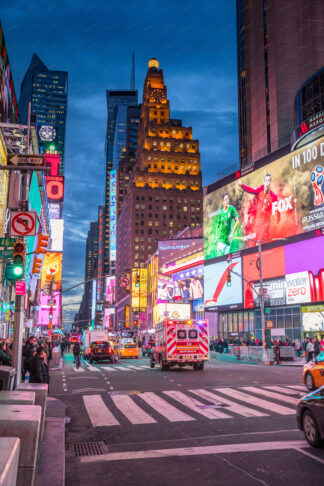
(230, 424)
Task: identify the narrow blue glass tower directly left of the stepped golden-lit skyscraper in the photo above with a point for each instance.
(117, 103)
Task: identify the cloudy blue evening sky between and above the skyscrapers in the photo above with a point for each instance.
(195, 43)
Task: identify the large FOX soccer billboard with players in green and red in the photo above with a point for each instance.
(279, 200)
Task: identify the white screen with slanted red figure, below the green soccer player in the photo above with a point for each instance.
(216, 291)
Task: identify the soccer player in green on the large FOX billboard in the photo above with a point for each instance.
(226, 224)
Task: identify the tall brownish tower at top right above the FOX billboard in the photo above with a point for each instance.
(280, 43)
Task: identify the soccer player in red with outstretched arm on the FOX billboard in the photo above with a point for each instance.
(265, 197)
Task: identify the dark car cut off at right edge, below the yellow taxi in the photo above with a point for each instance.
(310, 417)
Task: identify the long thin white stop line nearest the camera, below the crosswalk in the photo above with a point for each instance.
(195, 451)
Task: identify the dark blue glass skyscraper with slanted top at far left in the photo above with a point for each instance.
(47, 90)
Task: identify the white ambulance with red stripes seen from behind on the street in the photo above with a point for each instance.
(180, 343)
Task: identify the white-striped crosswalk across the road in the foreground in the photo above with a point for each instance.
(149, 408)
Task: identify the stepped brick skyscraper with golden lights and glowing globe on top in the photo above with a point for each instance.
(165, 191)
